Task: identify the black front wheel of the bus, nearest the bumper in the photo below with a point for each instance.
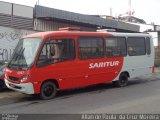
(48, 90)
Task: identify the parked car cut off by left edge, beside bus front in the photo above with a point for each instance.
(2, 67)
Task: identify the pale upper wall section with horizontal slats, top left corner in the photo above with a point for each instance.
(16, 16)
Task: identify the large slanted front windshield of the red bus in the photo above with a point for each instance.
(25, 53)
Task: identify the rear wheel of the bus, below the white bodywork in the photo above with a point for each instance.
(123, 80)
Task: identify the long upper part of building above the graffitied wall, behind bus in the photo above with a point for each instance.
(46, 19)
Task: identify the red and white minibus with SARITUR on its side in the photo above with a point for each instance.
(46, 62)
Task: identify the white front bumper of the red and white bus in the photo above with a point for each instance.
(26, 88)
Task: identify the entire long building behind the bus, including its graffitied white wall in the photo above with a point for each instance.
(19, 20)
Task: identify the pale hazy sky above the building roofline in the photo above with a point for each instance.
(147, 10)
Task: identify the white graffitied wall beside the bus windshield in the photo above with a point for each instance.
(9, 38)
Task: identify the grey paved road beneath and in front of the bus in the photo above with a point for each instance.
(142, 95)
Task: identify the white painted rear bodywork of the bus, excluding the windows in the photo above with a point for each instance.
(137, 65)
